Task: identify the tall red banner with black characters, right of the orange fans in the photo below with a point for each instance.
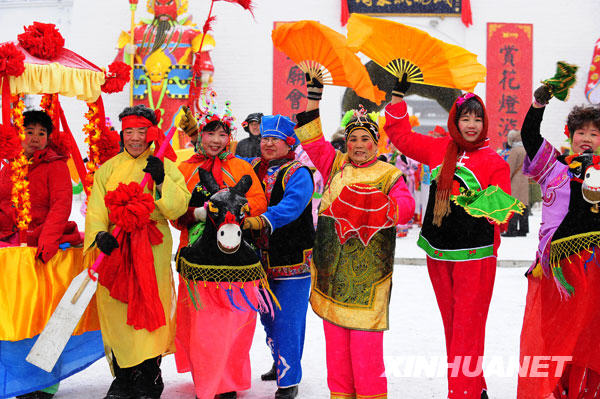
(509, 74)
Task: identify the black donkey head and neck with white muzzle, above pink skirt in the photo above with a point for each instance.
(222, 241)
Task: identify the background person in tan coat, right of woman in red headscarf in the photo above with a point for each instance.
(519, 184)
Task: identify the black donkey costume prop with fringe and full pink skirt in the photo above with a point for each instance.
(223, 276)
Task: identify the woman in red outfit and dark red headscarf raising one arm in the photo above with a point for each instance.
(461, 249)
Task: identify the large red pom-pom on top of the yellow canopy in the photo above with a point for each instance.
(42, 40)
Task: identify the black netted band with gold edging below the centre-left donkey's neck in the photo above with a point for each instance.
(220, 273)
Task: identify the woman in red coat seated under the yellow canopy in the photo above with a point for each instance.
(50, 192)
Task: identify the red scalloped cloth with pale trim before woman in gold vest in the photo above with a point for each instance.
(361, 211)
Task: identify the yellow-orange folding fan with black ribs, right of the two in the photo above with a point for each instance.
(403, 49)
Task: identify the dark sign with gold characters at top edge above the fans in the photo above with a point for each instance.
(404, 7)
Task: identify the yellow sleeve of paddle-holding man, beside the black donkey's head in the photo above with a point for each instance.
(175, 197)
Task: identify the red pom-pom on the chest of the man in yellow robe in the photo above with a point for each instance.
(129, 207)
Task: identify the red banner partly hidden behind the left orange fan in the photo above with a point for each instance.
(289, 85)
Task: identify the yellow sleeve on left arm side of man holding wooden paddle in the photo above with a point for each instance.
(96, 219)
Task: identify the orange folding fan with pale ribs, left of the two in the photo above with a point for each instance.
(321, 51)
